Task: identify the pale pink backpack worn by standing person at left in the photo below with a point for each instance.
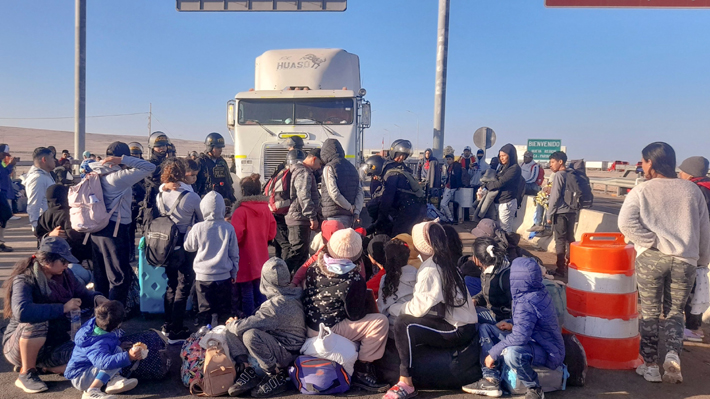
(88, 213)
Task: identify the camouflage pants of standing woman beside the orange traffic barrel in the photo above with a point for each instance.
(662, 276)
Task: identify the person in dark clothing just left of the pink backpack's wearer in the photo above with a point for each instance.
(55, 222)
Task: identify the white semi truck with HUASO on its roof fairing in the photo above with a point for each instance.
(314, 94)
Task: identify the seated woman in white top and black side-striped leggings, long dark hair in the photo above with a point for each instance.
(440, 313)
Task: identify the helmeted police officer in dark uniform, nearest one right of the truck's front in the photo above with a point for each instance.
(400, 199)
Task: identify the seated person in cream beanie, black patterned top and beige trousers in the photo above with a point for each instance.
(336, 296)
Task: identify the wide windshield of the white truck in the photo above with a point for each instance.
(296, 112)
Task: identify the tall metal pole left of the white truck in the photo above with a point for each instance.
(79, 78)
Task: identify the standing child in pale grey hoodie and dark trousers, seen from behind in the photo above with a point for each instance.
(217, 259)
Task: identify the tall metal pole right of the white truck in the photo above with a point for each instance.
(442, 48)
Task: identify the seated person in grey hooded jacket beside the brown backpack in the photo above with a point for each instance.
(273, 335)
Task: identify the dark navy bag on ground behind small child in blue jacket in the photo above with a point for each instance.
(156, 365)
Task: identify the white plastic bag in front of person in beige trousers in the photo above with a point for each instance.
(331, 346)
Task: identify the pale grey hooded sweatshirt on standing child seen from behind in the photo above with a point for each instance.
(215, 242)
